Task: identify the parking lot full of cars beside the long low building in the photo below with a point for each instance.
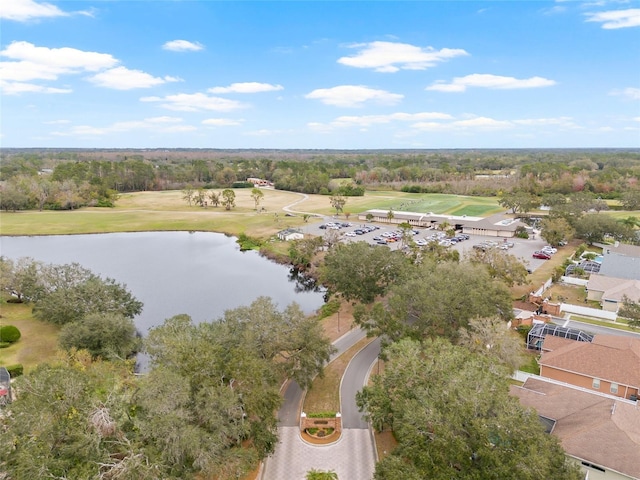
(389, 235)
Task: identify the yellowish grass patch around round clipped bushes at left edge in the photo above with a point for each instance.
(38, 342)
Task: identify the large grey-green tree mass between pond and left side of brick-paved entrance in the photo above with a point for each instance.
(209, 403)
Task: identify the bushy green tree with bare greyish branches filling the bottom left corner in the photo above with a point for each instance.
(72, 420)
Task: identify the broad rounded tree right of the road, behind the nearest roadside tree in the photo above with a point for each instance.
(436, 299)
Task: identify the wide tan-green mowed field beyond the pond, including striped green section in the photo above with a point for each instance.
(168, 211)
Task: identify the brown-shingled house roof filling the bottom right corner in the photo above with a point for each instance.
(601, 433)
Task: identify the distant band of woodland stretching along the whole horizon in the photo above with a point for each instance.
(64, 179)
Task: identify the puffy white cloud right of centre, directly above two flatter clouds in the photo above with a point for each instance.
(391, 57)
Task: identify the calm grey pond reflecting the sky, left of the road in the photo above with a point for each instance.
(200, 274)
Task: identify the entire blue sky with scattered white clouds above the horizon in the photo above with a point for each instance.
(320, 75)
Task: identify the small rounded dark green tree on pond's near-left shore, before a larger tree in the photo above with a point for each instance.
(105, 335)
